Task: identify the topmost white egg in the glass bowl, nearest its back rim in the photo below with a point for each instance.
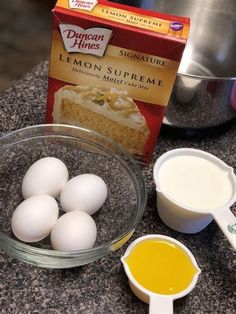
(46, 176)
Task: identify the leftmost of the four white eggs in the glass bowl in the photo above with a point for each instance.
(34, 218)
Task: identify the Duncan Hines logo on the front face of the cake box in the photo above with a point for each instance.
(91, 41)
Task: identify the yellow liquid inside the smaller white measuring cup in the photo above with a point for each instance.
(161, 266)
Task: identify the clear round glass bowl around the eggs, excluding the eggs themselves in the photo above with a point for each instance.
(83, 151)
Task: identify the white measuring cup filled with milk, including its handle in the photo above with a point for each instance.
(193, 188)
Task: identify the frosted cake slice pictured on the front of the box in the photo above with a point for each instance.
(107, 110)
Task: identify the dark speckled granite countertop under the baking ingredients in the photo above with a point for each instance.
(102, 286)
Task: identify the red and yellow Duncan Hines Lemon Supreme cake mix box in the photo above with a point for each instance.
(112, 70)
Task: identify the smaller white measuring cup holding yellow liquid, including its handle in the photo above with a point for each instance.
(159, 302)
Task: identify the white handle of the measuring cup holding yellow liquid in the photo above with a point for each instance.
(160, 305)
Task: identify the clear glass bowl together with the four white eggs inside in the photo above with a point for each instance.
(69, 196)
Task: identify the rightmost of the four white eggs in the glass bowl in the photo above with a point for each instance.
(86, 192)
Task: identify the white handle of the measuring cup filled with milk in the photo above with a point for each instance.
(227, 223)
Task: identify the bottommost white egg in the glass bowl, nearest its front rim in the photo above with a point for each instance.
(74, 231)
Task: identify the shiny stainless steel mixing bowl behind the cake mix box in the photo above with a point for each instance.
(204, 94)
